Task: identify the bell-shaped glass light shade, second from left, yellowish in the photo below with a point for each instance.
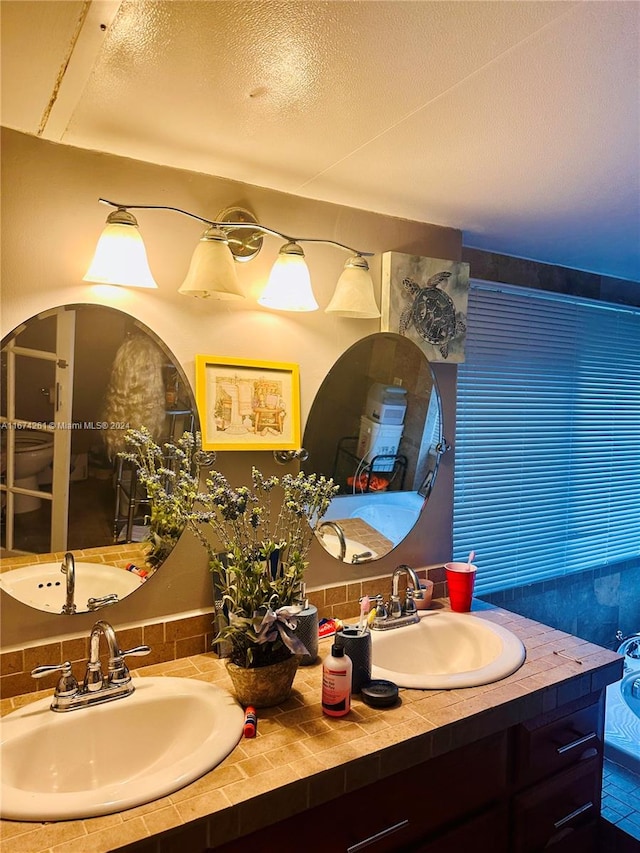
(212, 272)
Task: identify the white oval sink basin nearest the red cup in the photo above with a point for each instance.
(445, 650)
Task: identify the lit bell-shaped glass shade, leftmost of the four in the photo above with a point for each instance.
(120, 256)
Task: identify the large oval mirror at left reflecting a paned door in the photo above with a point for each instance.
(74, 379)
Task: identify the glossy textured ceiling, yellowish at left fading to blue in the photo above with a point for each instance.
(517, 122)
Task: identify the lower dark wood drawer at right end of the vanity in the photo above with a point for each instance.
(554, 811)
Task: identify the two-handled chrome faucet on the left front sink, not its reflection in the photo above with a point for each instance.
(96, 687)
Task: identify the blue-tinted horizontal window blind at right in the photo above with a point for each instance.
(547, 474)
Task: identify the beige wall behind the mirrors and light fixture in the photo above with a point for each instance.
(51, 222)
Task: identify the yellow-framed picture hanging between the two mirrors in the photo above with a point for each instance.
(248, 405)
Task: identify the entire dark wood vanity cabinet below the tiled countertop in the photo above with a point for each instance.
(533, 787)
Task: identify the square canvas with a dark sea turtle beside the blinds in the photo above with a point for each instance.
(425, 299)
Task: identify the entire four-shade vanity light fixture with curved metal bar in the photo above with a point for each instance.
(235, 235)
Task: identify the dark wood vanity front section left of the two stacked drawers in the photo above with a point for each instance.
(410, 810)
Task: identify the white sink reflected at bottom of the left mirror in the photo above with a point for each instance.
(43, 585)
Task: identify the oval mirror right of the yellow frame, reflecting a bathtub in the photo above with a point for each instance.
(375, 426)
